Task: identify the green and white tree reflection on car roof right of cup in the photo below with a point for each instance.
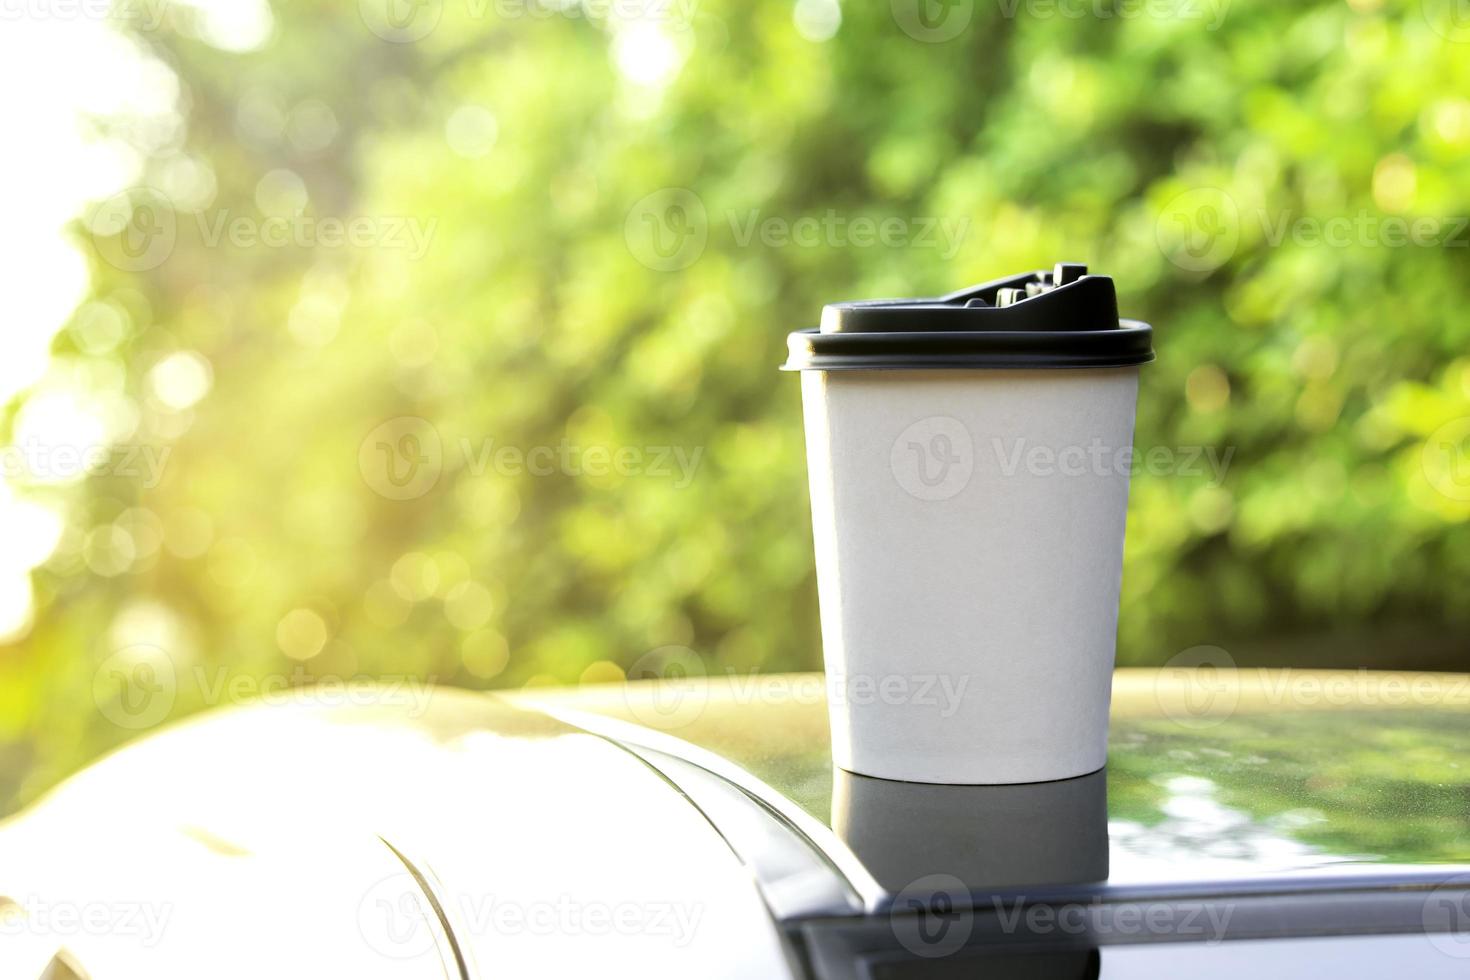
(1399, 788)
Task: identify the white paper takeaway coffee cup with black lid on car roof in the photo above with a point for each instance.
(969, 461)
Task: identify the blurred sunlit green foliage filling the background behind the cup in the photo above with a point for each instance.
(584, 187)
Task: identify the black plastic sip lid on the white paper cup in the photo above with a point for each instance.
(1065, 318)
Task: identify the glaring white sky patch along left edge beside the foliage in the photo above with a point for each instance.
(65, 71)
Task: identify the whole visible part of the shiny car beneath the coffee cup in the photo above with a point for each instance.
(698, 829)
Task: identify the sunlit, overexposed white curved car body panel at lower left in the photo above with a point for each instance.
(465, 840)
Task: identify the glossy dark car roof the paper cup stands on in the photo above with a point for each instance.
(1261, 778)
